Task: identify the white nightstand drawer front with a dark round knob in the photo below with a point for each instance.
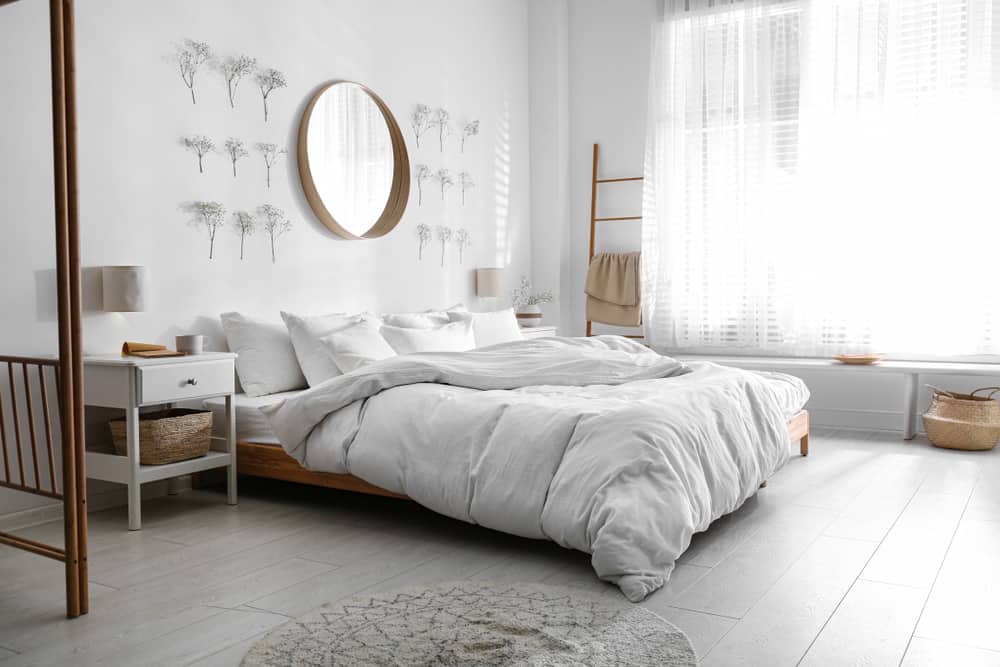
(167, 383)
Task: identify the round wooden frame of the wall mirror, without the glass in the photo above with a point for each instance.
(399, 193)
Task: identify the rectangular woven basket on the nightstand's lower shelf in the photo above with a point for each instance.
(167, 436)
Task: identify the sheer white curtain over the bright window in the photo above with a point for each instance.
(821, 177)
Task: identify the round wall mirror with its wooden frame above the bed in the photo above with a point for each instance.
(353, 161)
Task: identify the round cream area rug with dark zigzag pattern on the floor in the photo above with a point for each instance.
(472, 623)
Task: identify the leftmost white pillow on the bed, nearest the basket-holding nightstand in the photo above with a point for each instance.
(266, 362)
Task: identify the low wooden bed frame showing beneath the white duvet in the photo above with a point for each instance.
(272, 462)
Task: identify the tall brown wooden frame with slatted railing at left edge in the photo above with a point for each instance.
(68, 369)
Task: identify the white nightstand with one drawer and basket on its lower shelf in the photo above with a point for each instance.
(130, 383)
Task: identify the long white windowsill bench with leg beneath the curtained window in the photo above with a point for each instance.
(910, 370)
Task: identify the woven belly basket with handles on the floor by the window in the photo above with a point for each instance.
(963, 421)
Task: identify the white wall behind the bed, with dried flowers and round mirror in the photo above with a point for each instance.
(468, 57)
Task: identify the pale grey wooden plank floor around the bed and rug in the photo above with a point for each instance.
(870, 551)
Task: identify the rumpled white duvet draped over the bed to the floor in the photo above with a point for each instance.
(599, 444)
